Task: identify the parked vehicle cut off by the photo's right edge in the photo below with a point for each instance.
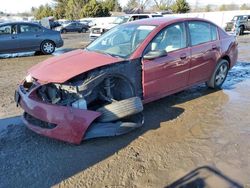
(239, 24)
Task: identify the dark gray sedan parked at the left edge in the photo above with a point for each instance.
(23, 37)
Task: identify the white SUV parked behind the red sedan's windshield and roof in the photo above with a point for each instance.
(98, 30)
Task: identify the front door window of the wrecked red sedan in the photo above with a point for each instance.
(170, 39)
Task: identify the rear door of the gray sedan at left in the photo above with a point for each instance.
(30, 36)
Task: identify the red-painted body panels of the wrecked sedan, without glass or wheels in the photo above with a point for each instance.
(161, 77)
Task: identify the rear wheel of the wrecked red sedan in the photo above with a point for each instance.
(219, 75)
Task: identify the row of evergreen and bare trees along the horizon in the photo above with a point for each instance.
(76, 9)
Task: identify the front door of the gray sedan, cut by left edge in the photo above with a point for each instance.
(8, 38)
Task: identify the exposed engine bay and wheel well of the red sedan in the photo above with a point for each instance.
(92, 90)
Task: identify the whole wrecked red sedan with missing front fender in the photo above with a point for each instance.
(100, 91)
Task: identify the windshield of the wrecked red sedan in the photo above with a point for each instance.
(121, 41)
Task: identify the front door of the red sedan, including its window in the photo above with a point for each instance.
(168, 72)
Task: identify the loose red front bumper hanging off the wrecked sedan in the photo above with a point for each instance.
(71, 123)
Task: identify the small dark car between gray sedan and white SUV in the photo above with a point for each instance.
(73, 27)
